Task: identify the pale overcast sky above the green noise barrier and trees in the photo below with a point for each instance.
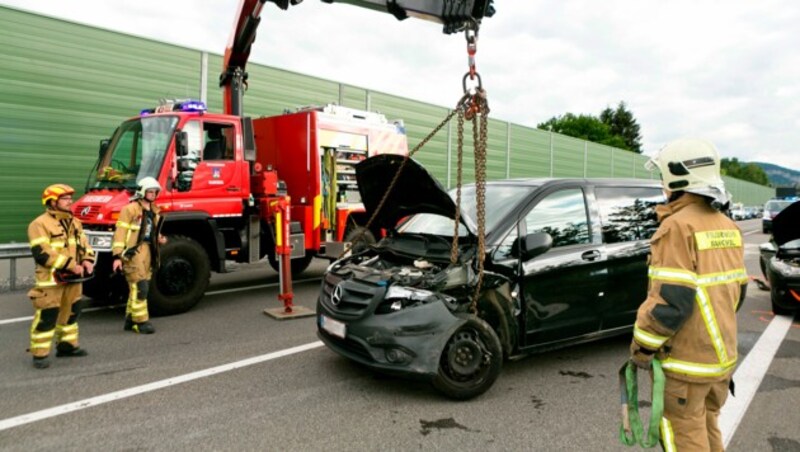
(728, 71)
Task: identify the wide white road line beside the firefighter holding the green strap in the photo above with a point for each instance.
(750, 373)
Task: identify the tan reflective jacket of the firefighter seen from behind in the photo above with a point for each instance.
(697, 283)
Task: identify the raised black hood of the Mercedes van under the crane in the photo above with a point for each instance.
(416, 191)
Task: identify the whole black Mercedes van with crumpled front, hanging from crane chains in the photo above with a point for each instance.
(566, 262)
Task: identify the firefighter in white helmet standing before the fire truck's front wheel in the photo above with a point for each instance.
(135, 249)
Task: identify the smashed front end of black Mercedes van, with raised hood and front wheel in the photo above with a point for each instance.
(402, 307)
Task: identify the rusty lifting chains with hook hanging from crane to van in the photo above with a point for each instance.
(473, 106)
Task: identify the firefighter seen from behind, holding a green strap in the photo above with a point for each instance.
(697, 283)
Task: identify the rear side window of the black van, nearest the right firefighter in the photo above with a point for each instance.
(628, 213)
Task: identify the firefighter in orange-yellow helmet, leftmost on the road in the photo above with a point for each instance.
(63, 256)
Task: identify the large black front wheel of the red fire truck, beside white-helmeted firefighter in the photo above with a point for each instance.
(181, 279)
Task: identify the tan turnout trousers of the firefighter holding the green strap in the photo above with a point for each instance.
(690, 416)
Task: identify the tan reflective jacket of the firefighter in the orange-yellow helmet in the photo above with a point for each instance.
(57, 242)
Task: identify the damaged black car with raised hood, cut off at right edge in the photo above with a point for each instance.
(780, 261)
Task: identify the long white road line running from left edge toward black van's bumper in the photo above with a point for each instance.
(6, 424)
